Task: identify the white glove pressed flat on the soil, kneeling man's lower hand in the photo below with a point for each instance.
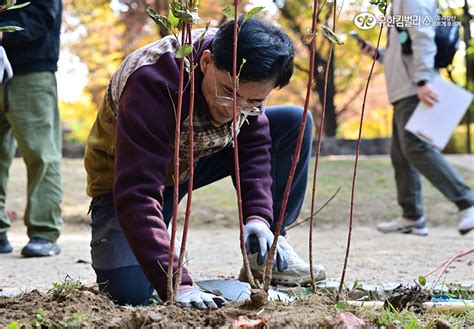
(189, 296)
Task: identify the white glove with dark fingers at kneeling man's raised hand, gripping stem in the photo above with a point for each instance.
(259, 238)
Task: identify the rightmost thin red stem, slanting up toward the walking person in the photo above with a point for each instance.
(349, 236)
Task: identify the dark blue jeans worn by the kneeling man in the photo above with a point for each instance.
(116, 266)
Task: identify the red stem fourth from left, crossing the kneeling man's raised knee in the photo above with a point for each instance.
(296, 155)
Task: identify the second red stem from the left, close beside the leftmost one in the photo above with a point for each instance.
(187, 217)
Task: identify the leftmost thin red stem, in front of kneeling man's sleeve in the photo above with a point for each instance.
(174, 224)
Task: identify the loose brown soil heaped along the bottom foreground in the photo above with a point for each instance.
(89, 309)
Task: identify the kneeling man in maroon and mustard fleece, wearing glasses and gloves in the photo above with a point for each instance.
(129, 158)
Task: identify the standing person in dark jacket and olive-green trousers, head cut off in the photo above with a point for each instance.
(29, 114)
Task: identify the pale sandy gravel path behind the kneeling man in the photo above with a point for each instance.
(214, 253)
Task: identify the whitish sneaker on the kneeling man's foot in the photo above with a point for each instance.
(297, 273)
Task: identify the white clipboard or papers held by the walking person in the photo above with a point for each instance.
(436, 124)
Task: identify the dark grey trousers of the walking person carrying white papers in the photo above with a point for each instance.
(413, 157)
